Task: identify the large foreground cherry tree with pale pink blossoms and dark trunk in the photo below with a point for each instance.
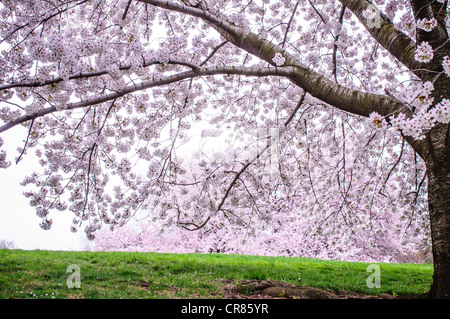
(356, 93)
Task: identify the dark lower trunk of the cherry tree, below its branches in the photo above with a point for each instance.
(438, 171)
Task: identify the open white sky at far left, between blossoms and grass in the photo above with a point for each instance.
(18, 221)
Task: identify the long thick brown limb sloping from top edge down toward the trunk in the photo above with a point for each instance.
(346, 99)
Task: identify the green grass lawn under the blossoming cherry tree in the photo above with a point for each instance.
(42, 274)
